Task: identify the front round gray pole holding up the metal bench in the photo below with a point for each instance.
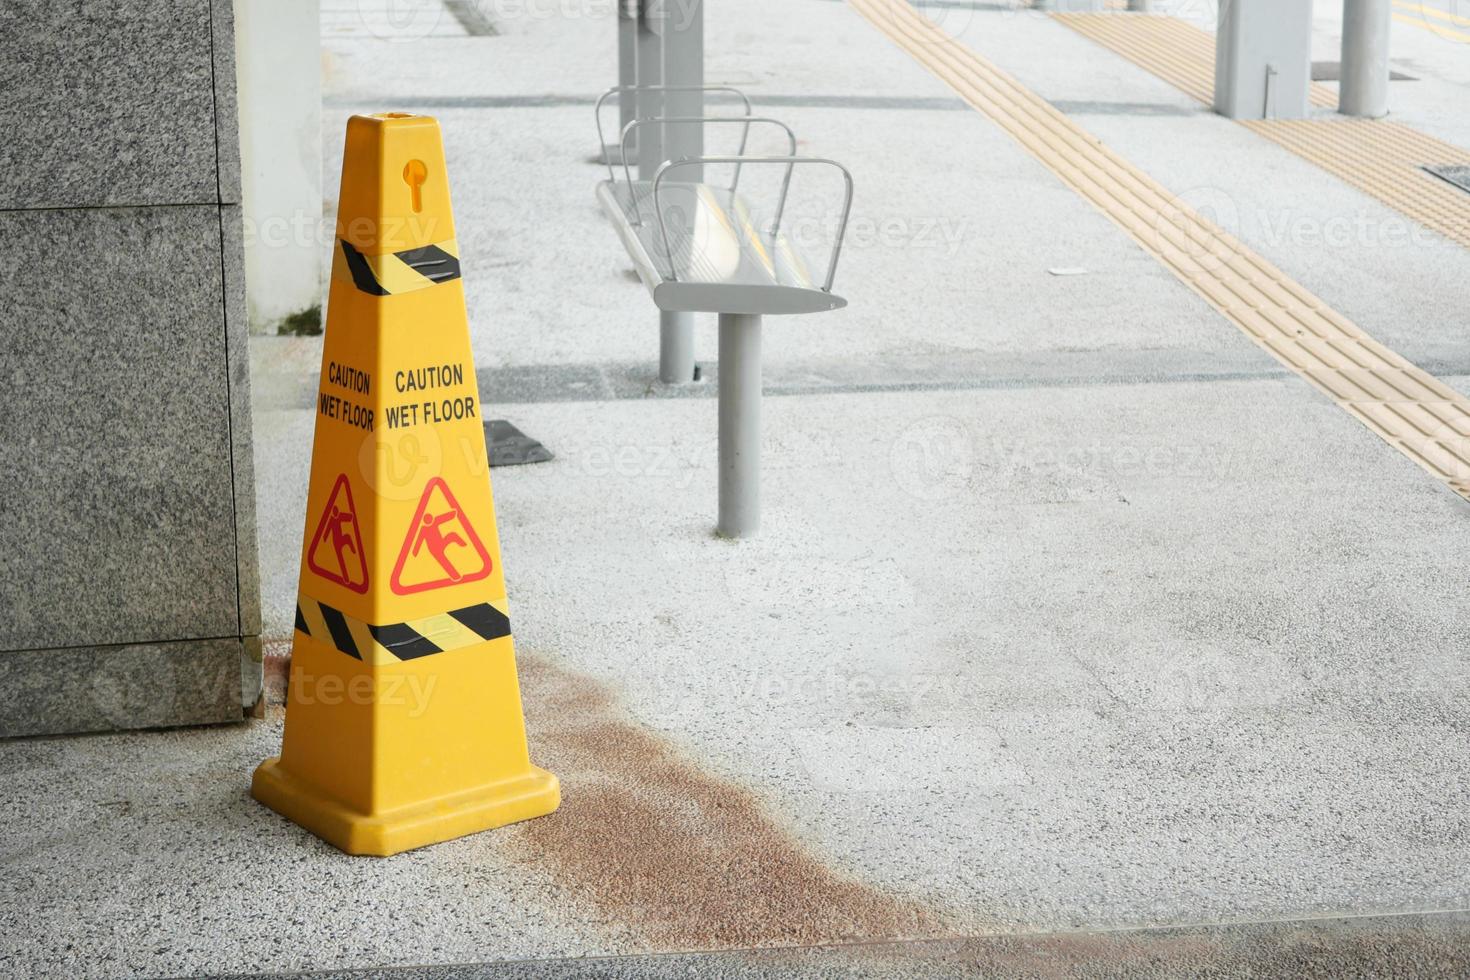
(740, 425)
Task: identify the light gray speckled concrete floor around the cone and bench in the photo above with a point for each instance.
(1074, 610)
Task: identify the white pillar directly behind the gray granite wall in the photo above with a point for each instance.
(279, 46)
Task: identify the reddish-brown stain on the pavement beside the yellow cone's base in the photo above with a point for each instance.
(677, 856)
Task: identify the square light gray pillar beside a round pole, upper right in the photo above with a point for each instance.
(1263, 60)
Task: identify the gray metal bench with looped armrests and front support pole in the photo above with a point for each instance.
(703, 249)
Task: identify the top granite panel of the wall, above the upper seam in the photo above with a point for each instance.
(110, 102)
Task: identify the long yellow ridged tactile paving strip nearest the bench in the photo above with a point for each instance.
(1408, 408)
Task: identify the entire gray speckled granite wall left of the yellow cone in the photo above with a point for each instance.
(129, 562)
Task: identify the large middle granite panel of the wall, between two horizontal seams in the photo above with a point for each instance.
(117, 430)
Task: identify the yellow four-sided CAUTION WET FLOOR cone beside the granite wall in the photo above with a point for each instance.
(404, 724)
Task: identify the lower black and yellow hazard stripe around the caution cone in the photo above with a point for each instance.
(393, 643)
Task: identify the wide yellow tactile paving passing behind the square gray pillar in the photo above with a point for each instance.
(1380, 158)
